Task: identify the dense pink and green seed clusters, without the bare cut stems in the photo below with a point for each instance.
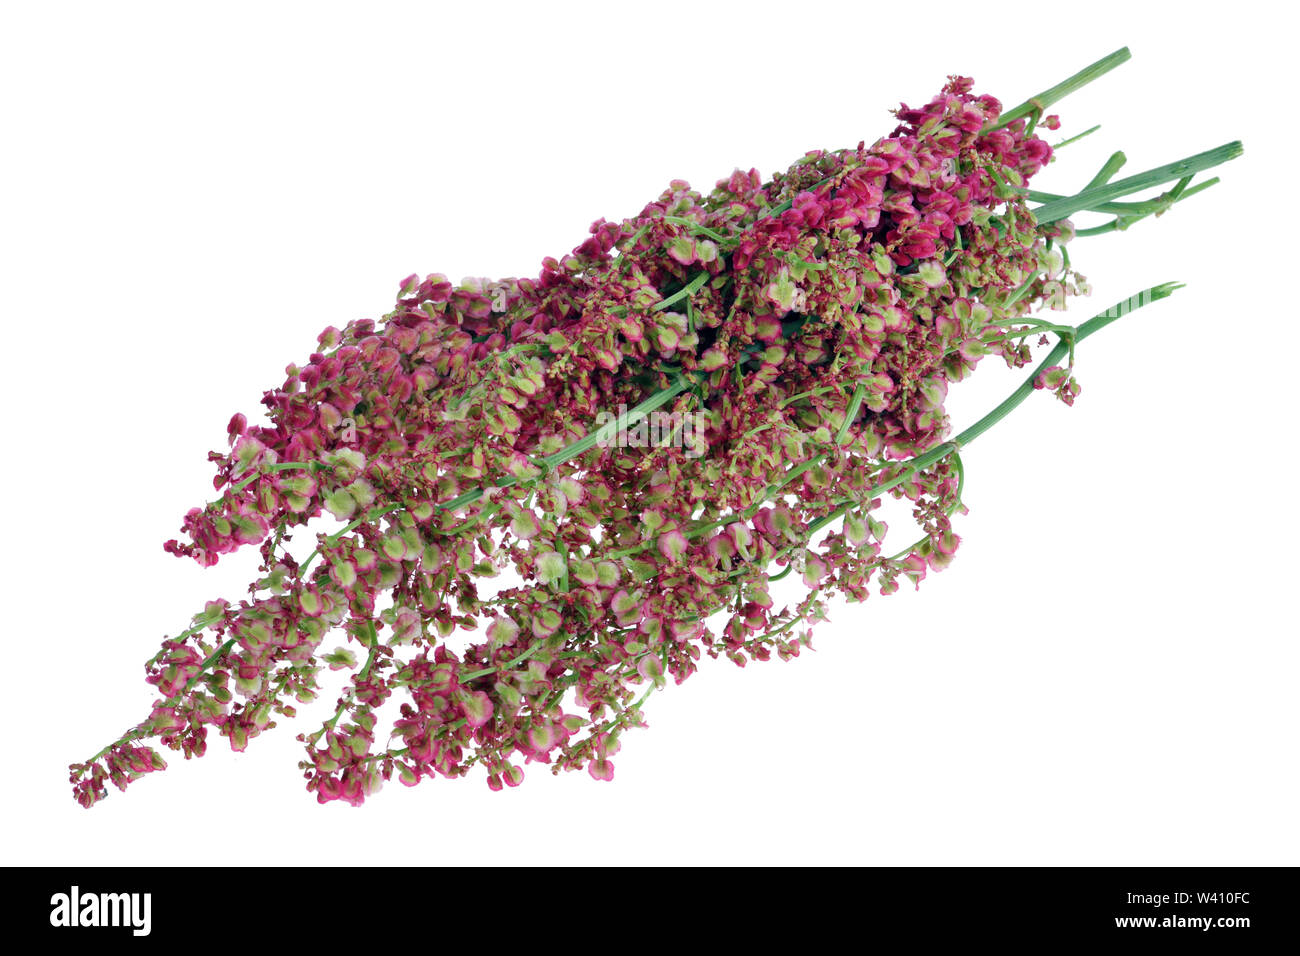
(816, 322)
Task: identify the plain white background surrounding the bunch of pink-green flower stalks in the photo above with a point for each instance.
(1107, 673)
